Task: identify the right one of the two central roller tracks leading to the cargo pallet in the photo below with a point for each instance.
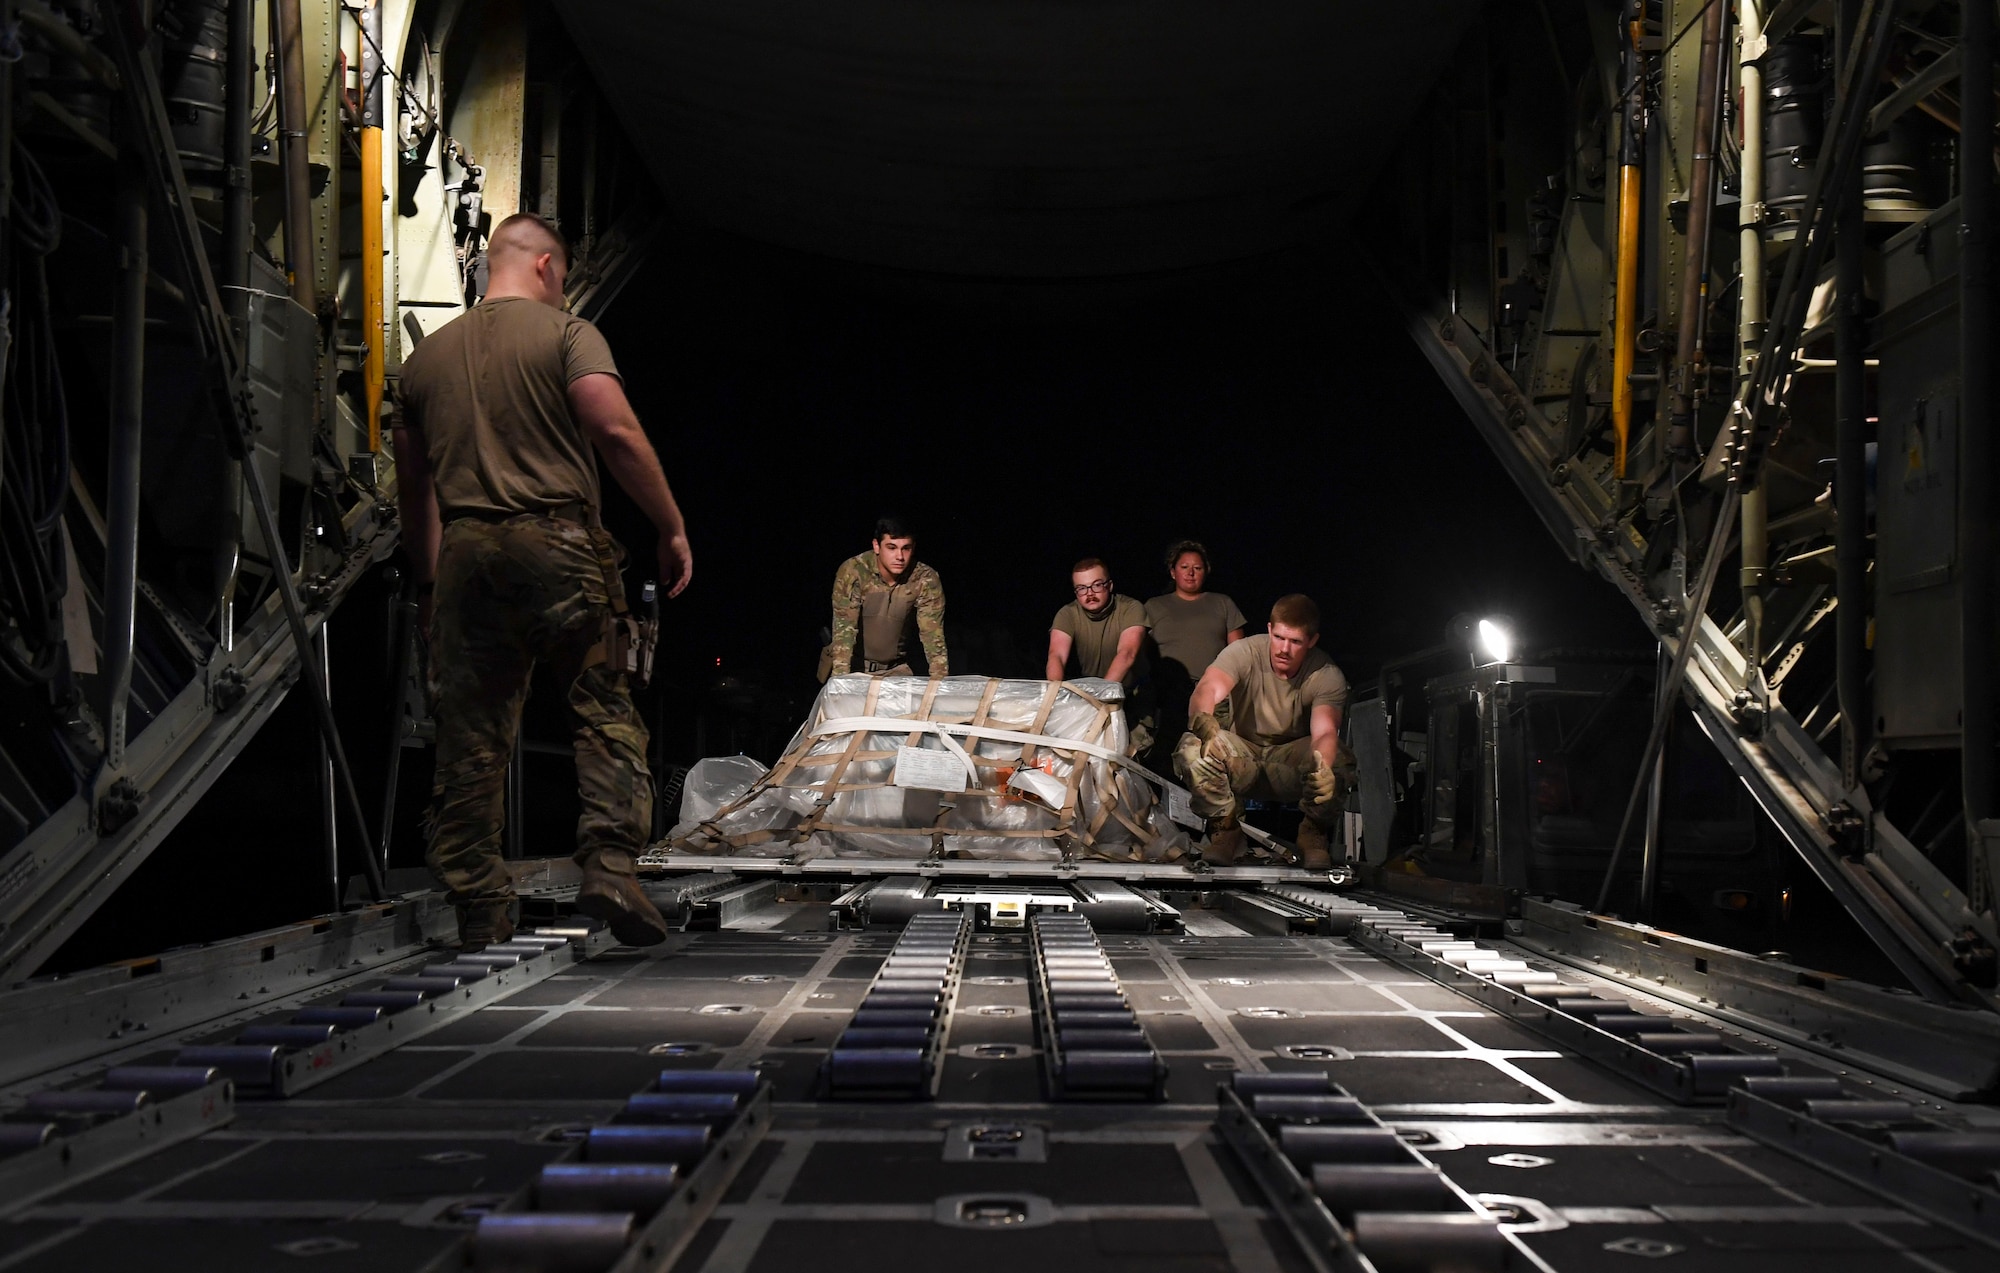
(1093, 1046)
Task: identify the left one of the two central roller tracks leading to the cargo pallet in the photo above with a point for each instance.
(893, 1044)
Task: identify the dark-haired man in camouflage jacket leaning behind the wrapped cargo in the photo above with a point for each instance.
(879, 599)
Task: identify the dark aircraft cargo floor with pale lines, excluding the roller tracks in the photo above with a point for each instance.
(383, 1168)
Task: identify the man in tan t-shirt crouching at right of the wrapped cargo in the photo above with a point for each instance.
(1265, 722)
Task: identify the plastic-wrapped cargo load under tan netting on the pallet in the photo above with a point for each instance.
(835, 790)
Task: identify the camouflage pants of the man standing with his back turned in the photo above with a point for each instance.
(511, 595)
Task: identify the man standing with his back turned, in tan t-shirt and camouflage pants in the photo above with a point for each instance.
(507, 413)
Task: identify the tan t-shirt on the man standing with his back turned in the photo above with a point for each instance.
(491, 397)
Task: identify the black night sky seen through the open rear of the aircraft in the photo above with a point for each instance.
(1279, 413)
